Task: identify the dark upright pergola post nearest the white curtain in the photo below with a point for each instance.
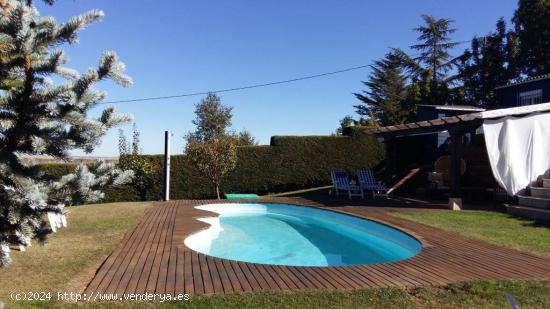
(455, 200)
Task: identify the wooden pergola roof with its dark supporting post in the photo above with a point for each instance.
(457, 126)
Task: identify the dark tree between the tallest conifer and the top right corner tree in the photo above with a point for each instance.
(490, 62)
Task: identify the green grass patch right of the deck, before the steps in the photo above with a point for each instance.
(494, 227)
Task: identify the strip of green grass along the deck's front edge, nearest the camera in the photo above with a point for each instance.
(483, 294)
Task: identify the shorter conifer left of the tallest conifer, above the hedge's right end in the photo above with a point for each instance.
(387, 97)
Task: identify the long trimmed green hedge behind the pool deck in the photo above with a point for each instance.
(289, 163)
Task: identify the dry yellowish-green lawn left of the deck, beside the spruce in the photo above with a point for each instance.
(70, 257)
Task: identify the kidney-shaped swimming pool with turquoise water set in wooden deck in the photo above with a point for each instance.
(282, 234)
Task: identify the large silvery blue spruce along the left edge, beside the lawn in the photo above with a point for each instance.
(41, 117)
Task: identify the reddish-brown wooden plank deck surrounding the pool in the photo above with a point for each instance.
(153, 258)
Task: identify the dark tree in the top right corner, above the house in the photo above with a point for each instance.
(532, 25)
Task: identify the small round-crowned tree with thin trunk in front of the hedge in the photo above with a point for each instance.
(214, 158)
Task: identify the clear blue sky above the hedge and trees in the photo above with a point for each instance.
(181, 46)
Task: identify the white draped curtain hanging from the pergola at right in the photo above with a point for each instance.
(519, 150)
